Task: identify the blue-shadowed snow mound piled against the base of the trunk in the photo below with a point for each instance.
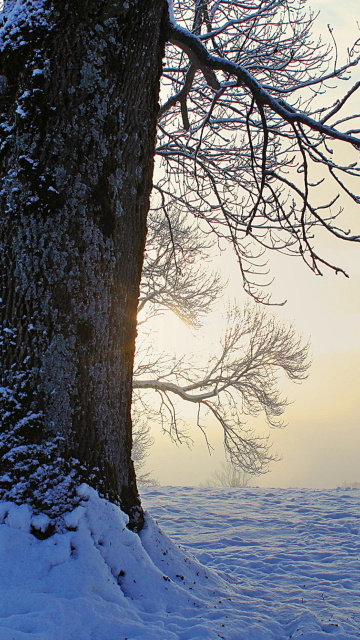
(98, 580)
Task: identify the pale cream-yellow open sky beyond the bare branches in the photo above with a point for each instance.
(320, 447)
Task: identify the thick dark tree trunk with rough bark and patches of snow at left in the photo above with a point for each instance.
(79, 91)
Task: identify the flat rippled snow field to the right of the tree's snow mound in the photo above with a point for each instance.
(293, 555)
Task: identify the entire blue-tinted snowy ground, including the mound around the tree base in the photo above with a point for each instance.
(271, 564)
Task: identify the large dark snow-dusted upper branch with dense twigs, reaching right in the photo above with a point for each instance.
(245, 161)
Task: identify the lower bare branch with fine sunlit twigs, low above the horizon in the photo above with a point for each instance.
(241, 381)
